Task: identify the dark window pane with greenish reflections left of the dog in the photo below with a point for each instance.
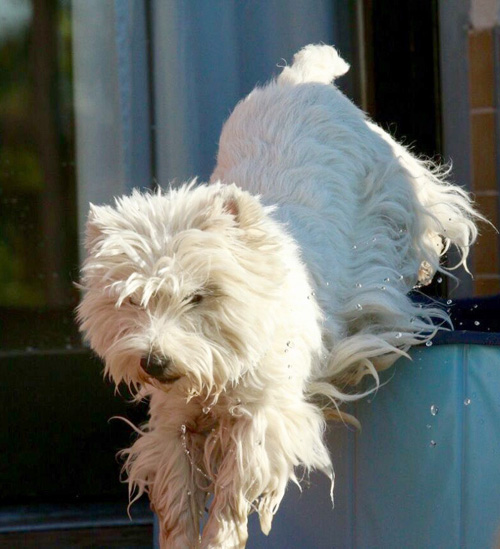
(38, 252)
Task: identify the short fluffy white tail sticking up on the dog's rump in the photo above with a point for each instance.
(314, 63)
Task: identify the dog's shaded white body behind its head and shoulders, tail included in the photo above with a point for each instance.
(371, 219)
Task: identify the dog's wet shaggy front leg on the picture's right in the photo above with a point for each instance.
(258, 453)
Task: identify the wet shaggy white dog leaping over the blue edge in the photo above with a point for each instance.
(245, 309)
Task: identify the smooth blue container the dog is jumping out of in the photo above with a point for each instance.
(424, 472)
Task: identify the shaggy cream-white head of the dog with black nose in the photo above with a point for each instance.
(181, 287)
